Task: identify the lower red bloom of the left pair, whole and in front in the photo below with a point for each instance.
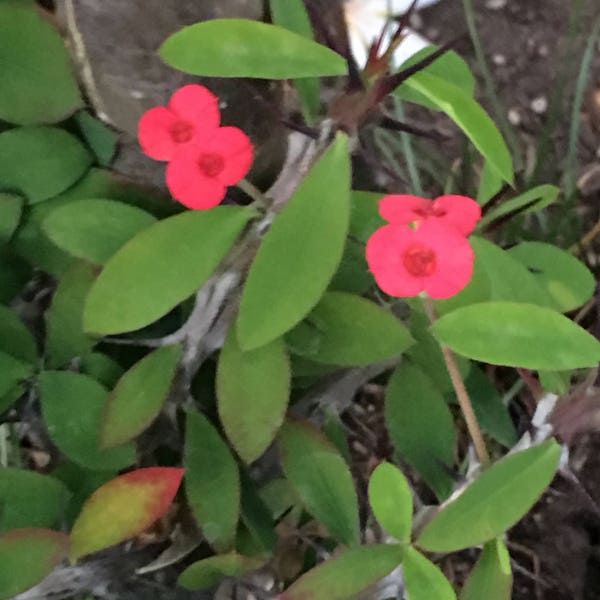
(199, 173)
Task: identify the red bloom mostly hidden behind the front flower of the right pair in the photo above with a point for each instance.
(460, 212)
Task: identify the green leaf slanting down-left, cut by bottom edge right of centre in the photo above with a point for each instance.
(346, 574)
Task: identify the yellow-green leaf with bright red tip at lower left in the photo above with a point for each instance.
(123, 507)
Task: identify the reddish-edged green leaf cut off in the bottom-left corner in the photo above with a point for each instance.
(27, 556)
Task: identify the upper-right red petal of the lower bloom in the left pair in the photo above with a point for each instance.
(236, 148)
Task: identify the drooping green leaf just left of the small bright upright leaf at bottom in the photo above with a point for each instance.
(321, 479)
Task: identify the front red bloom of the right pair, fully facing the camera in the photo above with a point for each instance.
(433, 258)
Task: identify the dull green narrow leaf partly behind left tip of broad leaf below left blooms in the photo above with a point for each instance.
(65, 338)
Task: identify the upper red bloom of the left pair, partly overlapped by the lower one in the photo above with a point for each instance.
(192, 111)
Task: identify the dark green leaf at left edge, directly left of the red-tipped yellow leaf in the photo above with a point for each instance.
(28, 499)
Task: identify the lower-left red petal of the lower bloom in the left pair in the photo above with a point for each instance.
(189, 185)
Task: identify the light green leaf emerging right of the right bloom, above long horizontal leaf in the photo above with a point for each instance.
(508, 279)
